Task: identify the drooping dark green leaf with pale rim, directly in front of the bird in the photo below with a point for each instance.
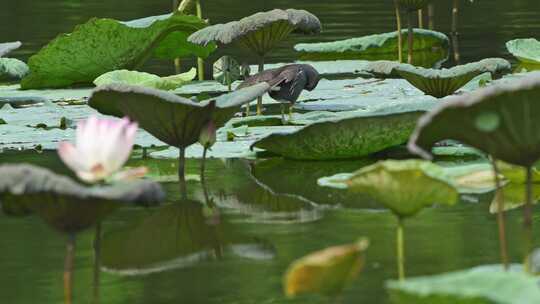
(172, 119)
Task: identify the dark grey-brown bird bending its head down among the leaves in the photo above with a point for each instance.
(286, 82)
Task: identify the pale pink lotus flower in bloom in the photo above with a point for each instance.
(101, 149)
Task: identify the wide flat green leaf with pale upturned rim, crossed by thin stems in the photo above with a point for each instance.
(371, 46)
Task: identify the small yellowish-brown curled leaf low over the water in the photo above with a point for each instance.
(327, 271)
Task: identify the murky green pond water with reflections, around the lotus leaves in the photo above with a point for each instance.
(234, 244)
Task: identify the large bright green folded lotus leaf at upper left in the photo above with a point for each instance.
(103, 45)
